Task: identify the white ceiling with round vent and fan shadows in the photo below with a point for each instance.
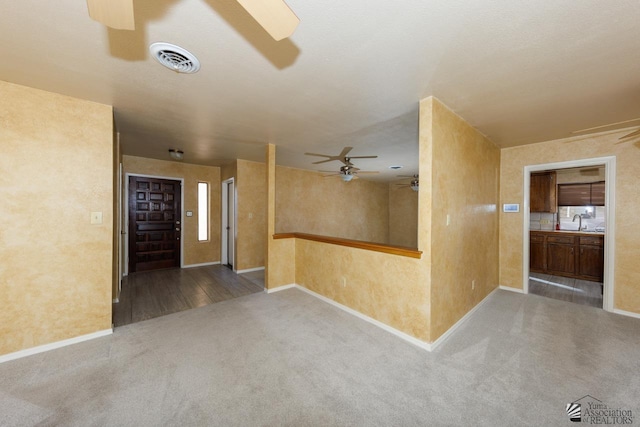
(352, 74)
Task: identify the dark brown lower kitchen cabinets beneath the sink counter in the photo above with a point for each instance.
(577, 255)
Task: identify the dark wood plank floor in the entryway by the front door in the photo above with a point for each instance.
(150, 294)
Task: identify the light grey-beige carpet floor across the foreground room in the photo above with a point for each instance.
(290, 359)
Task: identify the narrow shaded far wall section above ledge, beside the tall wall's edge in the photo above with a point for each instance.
(403, 216)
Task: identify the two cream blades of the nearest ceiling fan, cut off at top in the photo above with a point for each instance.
(273, 15)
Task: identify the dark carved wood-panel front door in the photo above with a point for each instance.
(154, 223)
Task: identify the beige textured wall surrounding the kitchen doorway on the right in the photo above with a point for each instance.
(627, 249)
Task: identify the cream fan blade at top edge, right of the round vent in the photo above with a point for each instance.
(273, 15)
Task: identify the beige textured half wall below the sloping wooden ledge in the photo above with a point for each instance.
(388, 288)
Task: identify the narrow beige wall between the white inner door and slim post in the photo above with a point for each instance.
(251, 190)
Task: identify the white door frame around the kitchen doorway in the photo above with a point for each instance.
(609, 163)
